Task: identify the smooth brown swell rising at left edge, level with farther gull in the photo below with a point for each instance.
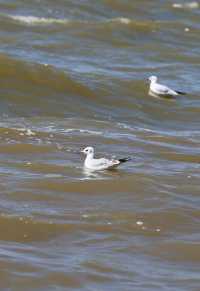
(25, 75)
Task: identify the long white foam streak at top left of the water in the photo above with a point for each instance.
(33, 20)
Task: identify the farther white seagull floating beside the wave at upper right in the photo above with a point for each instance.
(162, 90)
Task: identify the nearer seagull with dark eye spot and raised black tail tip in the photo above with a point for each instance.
(102, 163)
